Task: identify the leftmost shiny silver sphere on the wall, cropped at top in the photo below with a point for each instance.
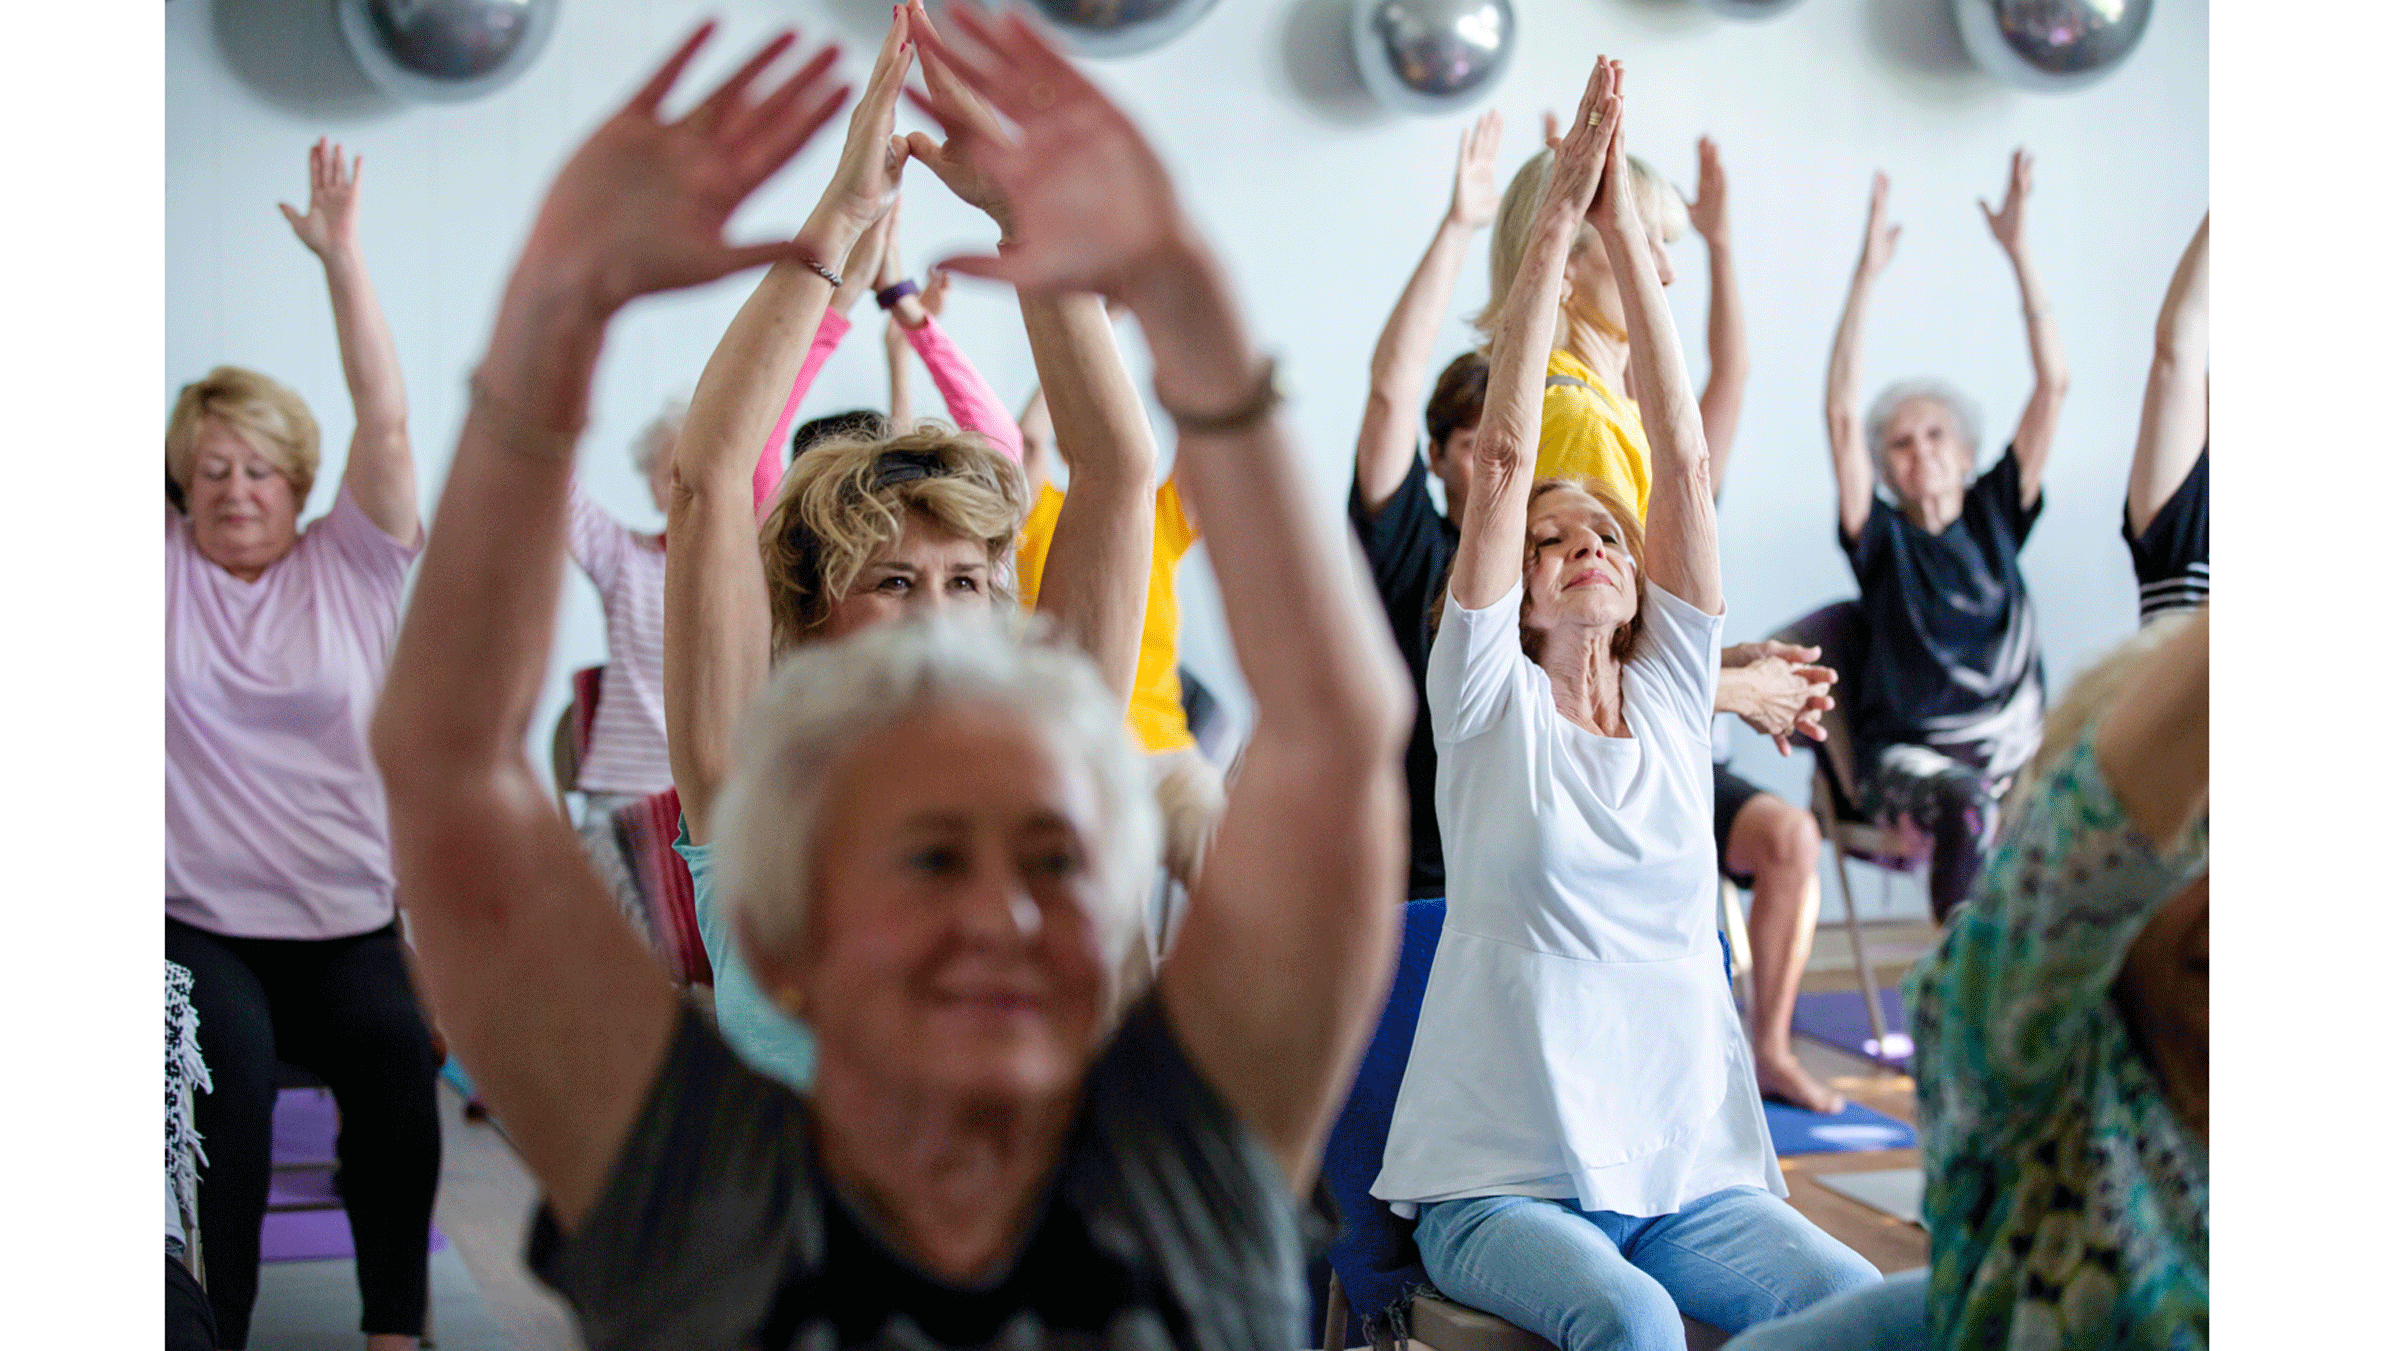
(445, 52)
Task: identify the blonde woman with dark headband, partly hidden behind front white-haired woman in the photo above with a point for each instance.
(868, 532)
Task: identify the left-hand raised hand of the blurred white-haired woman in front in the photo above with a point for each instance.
(644, 203)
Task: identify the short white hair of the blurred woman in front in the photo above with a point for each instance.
(829, 697)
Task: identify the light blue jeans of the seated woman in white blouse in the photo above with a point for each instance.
(1607, 1283)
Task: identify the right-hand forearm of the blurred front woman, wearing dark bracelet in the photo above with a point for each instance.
(1307, 630)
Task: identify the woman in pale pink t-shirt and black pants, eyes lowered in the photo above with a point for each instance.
(277, 841)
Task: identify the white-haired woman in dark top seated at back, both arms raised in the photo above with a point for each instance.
(1950, 687)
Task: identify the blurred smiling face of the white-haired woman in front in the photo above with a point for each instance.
(956, 937)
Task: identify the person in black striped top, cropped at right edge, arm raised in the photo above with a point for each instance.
(2166, 498)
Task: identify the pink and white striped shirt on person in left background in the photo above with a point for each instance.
(630, 731)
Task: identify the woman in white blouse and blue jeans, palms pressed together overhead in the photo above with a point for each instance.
(1578, 1129)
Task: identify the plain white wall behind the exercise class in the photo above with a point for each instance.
(1321, 208)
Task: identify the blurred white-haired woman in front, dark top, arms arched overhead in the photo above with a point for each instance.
(935, 836)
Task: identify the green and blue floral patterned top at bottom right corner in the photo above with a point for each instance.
(2068, 1203)
